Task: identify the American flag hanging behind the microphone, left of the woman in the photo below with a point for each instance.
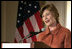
(28, 19)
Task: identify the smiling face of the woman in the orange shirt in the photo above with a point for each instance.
(48, 18)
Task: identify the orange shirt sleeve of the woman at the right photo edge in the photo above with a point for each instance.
(67, 41)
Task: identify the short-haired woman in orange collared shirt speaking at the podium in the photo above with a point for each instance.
(54, 35)
